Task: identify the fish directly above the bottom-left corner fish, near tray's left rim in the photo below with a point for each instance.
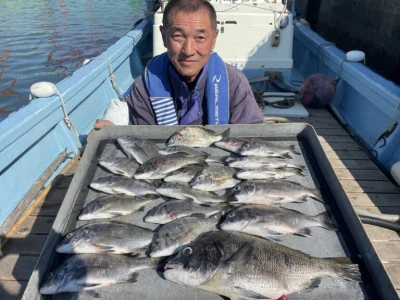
(106, 237)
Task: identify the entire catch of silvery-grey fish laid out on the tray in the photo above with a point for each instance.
(221, 214)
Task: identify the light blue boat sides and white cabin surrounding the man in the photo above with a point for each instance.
(275, 51)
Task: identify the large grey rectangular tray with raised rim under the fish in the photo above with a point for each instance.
(350, 239)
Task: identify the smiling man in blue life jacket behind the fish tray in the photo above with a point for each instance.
(189, 84)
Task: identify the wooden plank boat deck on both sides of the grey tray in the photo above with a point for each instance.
(365, 184)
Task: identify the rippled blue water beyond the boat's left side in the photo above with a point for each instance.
(47, 40)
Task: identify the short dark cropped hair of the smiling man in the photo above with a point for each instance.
(188, 6)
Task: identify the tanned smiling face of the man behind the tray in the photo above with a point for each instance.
(189, 41)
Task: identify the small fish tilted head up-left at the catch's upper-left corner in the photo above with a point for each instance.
(139, 149)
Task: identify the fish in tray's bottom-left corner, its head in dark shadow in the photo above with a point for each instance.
(85, 272)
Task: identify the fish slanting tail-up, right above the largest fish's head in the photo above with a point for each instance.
(171, 237)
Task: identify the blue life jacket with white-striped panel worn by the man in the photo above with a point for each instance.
(159, 75)
